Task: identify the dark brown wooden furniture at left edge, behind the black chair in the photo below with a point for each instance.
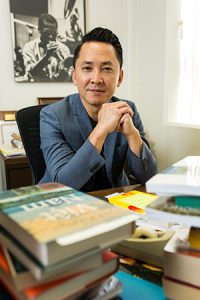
(15, 172)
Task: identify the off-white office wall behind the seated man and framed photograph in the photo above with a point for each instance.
(140, 25)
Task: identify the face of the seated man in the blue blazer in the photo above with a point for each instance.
(97, 73)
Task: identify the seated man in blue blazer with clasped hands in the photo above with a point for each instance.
(87, 137)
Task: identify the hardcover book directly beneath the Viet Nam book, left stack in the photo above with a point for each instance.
(21, 263)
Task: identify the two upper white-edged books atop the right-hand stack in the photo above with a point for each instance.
(178, 188)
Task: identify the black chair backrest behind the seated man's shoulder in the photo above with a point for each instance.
(28, 122)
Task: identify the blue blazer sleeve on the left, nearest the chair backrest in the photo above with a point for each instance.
(64, 164)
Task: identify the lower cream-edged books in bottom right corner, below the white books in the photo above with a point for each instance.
(182, 265)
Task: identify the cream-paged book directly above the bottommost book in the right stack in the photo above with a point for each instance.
(185, 268)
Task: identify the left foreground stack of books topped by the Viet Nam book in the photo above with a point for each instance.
(55, 240)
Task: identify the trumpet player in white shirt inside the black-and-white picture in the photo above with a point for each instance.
(45, 57)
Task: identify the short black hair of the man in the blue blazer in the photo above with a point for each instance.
(103, 35)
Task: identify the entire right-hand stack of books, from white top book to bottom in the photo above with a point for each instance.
(178, 188)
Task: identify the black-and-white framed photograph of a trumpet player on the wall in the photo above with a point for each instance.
(44, 36)
